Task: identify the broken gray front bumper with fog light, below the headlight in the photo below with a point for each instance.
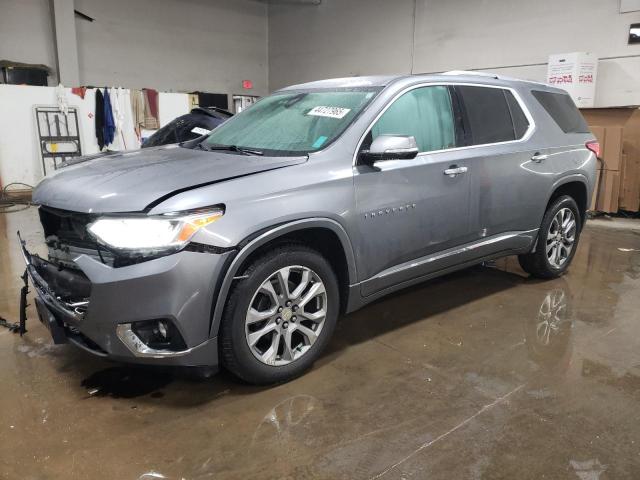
(100, 308)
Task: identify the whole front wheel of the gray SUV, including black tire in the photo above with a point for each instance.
(278, 320)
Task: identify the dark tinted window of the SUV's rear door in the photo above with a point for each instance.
(487, 114)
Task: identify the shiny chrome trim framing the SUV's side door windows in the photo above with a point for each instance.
(527, 134)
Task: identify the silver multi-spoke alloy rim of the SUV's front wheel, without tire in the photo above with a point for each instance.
(286, 315)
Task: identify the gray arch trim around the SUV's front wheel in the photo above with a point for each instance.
(326, 235)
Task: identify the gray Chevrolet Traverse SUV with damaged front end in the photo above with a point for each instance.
(242, 247)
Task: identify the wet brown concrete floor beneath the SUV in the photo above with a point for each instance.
(465, 377)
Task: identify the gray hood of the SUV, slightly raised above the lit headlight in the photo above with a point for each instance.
(132, 181)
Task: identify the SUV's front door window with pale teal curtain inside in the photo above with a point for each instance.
(424, 113)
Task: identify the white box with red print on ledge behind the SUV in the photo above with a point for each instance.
(576, 73)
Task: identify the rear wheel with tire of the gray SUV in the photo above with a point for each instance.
(557, 240)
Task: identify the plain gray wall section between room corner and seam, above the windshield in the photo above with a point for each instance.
(338, 38)
